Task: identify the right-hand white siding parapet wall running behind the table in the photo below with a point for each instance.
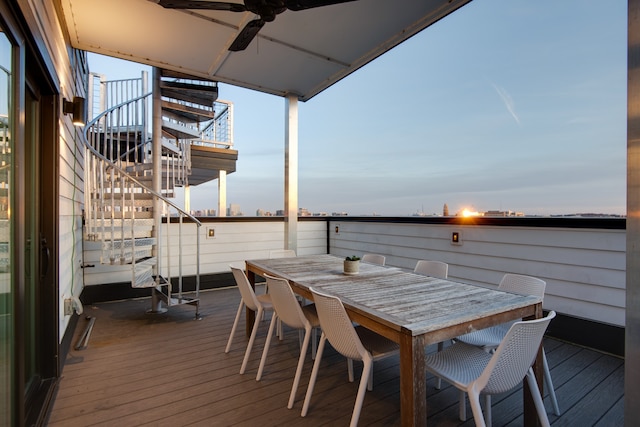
(584, 268)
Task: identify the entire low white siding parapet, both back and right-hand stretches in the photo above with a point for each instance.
(584, 268)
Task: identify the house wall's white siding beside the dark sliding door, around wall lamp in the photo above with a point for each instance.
(68, 65)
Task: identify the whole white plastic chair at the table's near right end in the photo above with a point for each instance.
(474, 371)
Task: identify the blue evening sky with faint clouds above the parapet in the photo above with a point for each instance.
(503, 105)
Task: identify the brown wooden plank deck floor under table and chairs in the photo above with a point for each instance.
(169, 369)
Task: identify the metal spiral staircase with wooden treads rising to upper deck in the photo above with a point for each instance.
(141, 146)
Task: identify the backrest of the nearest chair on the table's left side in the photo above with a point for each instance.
(337, 326)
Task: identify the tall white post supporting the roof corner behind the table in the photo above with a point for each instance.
(291, 174)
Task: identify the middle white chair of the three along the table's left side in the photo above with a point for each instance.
(288, 310)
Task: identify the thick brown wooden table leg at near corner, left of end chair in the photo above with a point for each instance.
(413, 387)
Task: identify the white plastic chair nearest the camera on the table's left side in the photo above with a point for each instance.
(352, 342)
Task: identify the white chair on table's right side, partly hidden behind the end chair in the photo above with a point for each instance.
(489, 339)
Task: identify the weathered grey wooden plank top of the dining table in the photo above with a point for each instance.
(401, 302)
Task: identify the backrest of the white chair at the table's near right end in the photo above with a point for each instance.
(514, 356)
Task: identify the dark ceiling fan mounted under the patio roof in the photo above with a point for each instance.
(265, 9)
